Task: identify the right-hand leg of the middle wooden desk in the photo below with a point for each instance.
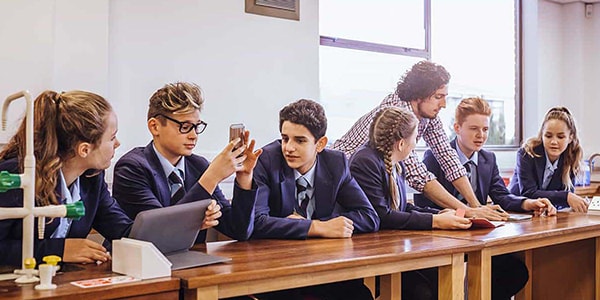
(451, 278)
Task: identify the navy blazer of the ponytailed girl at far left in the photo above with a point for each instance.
(101, 213)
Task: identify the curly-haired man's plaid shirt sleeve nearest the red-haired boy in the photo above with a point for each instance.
(438, 142)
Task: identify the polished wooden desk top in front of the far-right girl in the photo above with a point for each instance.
(539, 231)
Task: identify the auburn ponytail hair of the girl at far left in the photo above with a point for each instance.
(61, 121)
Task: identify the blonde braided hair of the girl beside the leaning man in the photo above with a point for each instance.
(388, 127)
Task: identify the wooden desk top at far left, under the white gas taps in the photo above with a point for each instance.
(65, 290)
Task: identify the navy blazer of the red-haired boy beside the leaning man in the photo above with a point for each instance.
(489, 182)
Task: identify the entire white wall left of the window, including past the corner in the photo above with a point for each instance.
(249, 66)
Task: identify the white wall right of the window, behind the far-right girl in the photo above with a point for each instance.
(568, 68)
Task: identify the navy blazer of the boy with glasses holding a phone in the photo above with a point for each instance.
(140, 184)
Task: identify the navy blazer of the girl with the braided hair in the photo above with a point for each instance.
(368, 168)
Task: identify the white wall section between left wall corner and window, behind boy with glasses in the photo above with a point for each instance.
(249, 66)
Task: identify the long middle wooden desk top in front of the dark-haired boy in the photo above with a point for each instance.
(264, 259)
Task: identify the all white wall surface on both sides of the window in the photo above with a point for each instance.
(248, 65)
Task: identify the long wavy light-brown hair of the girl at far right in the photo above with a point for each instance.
(574, 152)
